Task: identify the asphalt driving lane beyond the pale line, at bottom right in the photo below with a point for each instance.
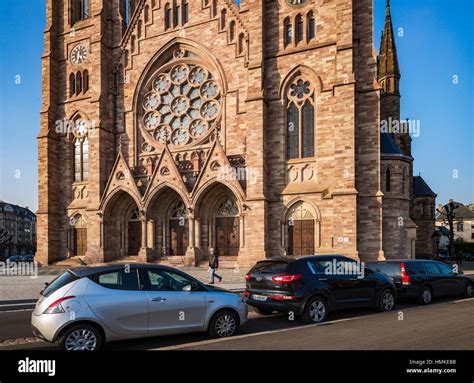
(443, 326)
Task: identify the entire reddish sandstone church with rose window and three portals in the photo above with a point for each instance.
(170, 127)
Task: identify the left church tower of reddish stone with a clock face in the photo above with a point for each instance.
(77, 130)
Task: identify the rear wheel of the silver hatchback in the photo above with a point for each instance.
(83, 337)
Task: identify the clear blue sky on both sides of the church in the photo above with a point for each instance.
(437, 44)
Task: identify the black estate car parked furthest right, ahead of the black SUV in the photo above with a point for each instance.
(424, 279)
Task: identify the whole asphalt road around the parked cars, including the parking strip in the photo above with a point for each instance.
(446, 324)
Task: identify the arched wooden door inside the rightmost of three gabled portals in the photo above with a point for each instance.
(227, 226)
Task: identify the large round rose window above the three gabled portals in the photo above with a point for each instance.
(181, 105)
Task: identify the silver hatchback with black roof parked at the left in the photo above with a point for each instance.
(85, 307)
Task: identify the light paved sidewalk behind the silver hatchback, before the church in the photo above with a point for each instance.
(26, 287)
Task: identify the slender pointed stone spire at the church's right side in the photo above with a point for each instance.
(388, 69)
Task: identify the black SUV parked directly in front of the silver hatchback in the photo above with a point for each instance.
(314, 285)
